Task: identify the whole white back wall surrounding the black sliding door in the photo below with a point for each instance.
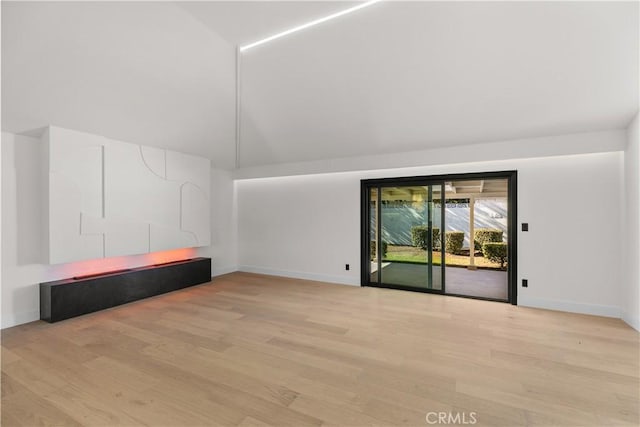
(309, 227)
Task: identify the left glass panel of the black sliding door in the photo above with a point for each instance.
(405, 231)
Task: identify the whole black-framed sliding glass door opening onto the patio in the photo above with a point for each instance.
(419, 231)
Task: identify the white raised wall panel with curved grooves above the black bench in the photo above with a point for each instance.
(110, 198)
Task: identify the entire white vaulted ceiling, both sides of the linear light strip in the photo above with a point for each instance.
(392, 77)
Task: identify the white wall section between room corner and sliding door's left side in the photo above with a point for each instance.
(306, 227)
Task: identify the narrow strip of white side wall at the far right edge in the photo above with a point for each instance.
(631, 294)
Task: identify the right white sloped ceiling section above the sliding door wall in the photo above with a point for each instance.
(415, 75)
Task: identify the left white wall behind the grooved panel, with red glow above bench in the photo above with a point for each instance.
(23, 200)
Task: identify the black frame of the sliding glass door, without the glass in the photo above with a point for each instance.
(512, 217)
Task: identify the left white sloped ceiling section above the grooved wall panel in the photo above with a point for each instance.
(140, 72)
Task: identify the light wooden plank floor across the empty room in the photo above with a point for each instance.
(255, 350)
